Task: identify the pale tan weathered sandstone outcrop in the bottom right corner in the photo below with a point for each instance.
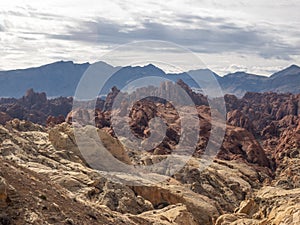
(270, 206)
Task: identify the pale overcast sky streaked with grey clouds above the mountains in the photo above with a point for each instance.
(257, 36)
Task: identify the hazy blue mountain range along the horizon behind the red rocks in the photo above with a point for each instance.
(61, 79)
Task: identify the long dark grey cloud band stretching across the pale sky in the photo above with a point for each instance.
(200, 34)
